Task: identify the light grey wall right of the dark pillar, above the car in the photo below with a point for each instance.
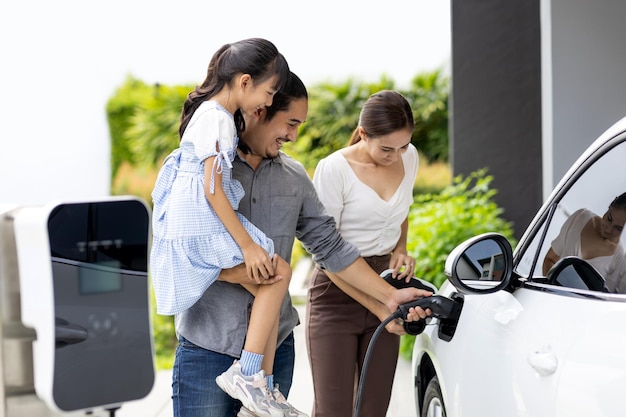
(588, 76)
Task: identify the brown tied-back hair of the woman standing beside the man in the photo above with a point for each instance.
(383, 113)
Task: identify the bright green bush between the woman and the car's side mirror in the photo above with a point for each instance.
(440, 222)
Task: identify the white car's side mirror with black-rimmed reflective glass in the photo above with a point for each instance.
(481, 265)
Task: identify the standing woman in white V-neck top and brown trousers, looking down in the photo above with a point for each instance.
(368, 188)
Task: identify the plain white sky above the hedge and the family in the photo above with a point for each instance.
(62, 60)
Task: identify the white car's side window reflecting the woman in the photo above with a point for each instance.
(585, 202)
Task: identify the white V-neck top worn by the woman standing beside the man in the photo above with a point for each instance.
(363, 218)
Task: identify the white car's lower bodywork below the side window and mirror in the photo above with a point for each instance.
(586, 353)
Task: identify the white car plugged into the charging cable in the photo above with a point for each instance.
(521, 342)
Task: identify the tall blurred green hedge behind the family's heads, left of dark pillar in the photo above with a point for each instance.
(144, 119)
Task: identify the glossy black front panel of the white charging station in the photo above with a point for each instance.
(103, 351)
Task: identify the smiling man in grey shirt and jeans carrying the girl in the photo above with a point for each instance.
(280, 200)
